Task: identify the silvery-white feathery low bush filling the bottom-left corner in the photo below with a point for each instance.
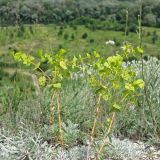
(24, 145)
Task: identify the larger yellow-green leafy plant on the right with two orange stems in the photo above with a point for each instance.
(115, 84)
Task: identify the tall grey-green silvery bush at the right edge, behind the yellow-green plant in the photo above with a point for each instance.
(143, 122)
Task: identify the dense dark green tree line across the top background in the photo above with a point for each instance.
(99, 14)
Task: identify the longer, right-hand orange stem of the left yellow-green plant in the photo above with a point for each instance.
(59, 120)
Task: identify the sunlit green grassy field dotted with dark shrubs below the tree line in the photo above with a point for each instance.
(52, 37)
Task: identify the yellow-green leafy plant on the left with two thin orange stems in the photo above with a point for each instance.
(58, 70)
